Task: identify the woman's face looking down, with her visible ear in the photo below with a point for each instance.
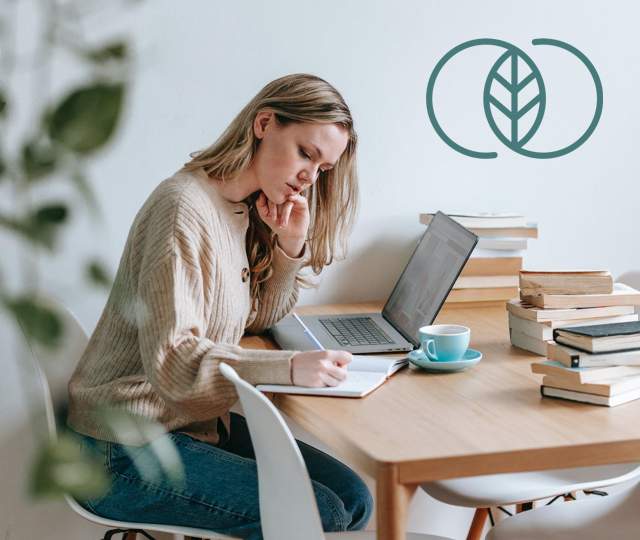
(290, 157)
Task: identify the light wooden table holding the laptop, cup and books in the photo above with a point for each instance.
(420, 426)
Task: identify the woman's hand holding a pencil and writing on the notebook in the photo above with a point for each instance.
(319, 368)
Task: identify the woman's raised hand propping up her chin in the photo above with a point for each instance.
(290, 221)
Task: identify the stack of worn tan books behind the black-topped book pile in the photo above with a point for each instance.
(553, 300)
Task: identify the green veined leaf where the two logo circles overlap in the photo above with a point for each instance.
(514, 111)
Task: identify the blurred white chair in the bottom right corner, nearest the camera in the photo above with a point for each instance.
(615, 516)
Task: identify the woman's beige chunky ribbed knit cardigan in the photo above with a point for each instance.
(179, 305)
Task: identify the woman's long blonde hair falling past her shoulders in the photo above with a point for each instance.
(332, 198)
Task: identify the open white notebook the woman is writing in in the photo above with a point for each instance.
(364, 375)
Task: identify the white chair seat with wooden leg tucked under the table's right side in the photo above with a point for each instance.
(497, 490)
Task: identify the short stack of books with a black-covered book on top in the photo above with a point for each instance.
(597, 364)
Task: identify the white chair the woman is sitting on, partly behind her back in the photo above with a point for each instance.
(56, 369)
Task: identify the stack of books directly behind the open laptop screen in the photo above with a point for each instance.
(491, 274)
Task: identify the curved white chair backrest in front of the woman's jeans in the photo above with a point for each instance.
(288, 509)
